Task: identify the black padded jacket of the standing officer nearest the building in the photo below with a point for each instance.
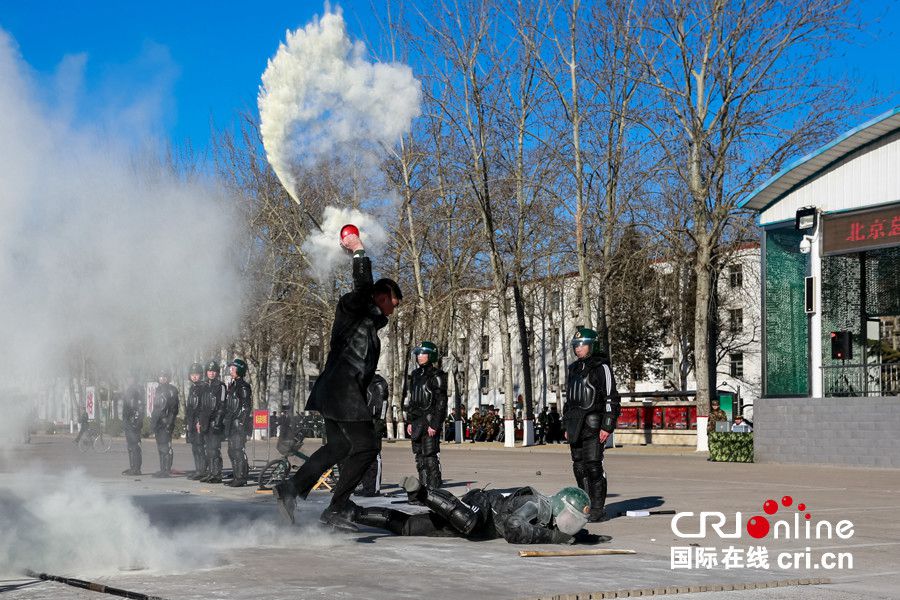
(591, 397)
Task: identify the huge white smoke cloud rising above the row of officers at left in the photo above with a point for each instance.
(102, 247)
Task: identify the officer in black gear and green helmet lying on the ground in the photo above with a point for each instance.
(524, 516)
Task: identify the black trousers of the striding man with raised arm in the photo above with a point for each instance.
(351, 443)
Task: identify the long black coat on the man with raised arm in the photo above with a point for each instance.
(340, 391)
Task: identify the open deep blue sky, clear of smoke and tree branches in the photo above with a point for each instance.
(197, 60)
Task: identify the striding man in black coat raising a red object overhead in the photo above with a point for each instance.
(340, 392)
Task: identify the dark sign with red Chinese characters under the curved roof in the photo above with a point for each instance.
(861, 230)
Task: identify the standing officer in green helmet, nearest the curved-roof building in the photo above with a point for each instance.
(590, 415)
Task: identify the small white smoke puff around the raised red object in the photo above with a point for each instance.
(324, 245)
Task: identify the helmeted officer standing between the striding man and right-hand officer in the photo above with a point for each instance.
(425, 412)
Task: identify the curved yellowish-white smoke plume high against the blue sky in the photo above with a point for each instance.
(321, 99)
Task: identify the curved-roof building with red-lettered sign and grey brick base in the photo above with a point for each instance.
(831, 302)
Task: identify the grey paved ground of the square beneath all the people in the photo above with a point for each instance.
(68, 513)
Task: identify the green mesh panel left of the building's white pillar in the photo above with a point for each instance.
(787, 352)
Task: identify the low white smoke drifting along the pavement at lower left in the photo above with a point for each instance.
(72, 524)
